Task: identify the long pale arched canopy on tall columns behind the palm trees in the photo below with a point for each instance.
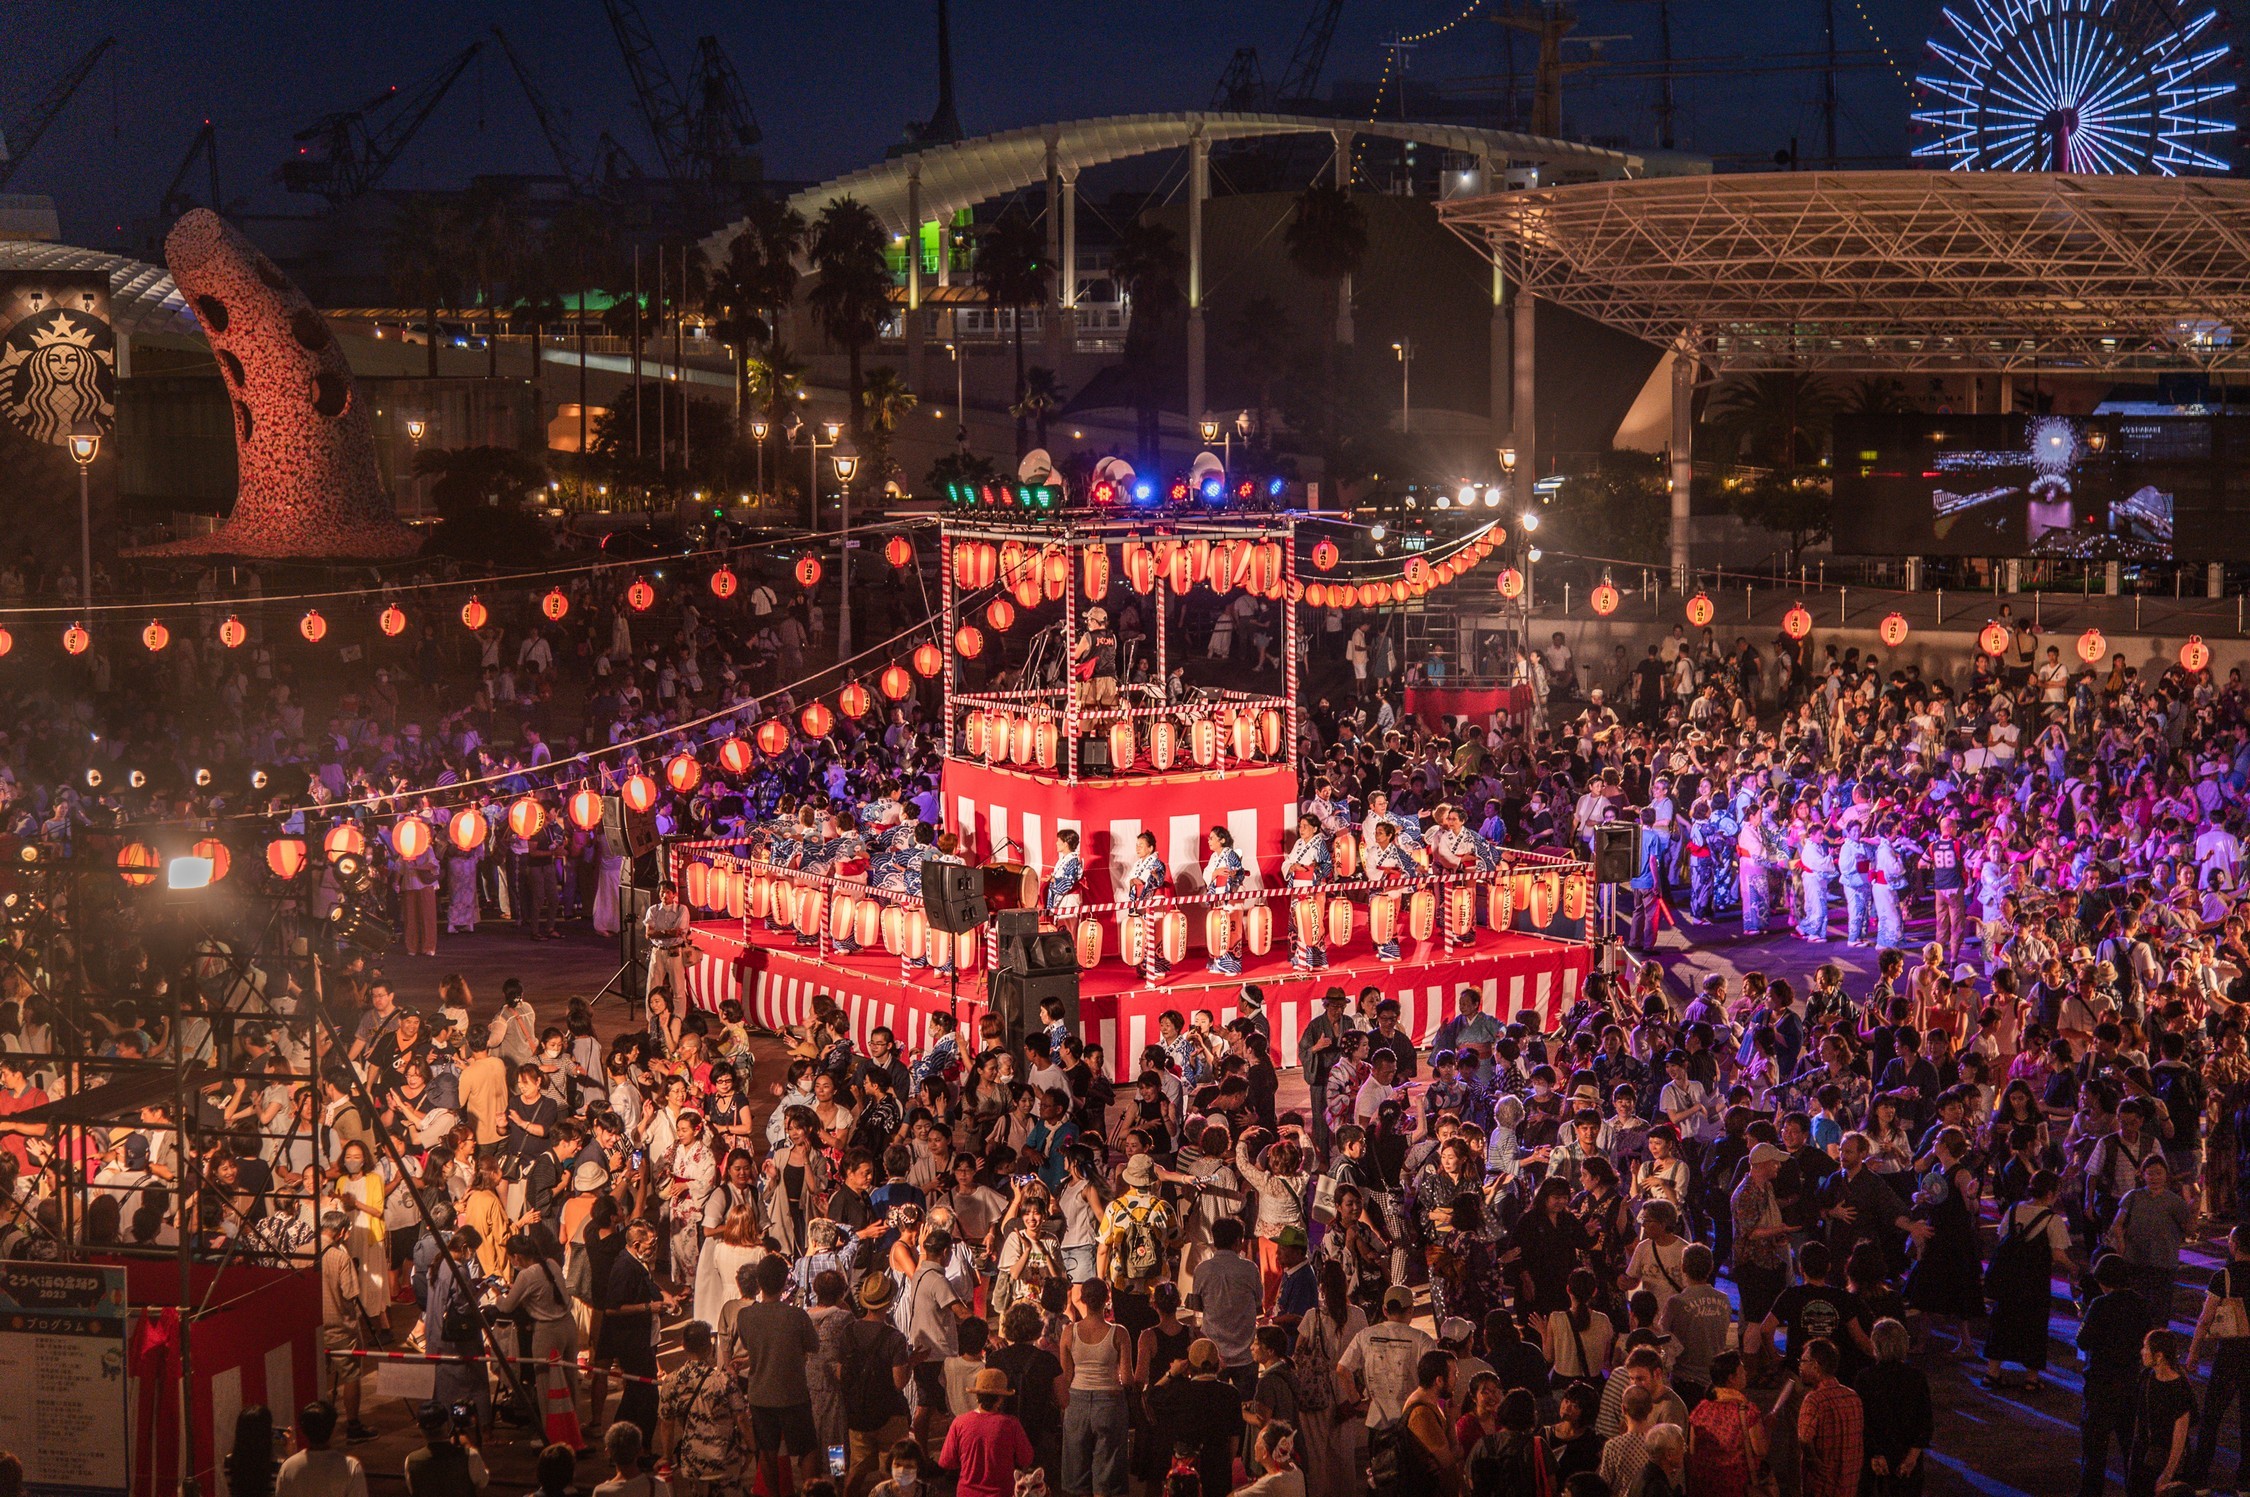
(971, 172)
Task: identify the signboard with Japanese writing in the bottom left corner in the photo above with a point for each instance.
(64, 1370)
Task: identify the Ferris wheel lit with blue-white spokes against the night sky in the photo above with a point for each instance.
(2109, 87)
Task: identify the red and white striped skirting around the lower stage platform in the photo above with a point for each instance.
(1117, 1010)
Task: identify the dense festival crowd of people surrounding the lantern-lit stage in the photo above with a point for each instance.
(1702, 1239)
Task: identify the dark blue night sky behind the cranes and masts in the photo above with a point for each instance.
(834, 82)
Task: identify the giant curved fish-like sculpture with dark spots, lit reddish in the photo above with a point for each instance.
(303, 440)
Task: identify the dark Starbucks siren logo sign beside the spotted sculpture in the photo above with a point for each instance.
(57, 352)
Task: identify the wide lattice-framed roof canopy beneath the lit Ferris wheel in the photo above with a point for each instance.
(1893, 269)
